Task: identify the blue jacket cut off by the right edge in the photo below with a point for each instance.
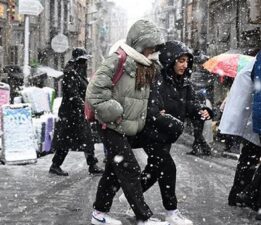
(256, 77)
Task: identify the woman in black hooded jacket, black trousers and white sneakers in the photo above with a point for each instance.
(172, 99)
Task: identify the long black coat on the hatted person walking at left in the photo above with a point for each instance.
(72, 130)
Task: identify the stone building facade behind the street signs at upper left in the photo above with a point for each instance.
(59, 16)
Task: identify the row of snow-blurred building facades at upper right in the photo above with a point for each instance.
(213, 26)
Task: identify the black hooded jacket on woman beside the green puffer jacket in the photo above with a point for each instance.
(171, 93)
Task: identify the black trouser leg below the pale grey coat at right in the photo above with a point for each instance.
(246, 167)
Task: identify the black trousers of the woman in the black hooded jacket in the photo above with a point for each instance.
(162, 169)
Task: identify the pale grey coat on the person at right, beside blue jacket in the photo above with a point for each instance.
(237, 116)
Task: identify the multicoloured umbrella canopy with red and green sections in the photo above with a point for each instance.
(227, 64)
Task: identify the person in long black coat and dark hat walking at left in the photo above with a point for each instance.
(72, 131)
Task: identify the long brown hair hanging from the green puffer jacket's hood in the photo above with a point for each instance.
(144, 75)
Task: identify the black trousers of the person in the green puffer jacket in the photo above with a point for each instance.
(121, 170)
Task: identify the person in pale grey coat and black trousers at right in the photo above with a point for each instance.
(236, 120)
